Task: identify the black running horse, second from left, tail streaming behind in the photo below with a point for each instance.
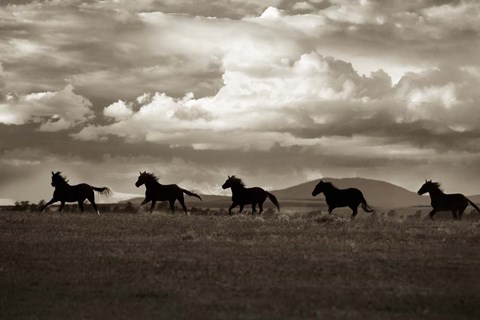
(154, 191)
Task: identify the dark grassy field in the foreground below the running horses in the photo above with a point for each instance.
(160, 266)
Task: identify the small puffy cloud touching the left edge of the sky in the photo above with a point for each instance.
(54, 111)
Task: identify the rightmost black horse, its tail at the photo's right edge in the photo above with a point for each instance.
(456, 202)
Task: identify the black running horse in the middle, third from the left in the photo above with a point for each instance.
(242, 196)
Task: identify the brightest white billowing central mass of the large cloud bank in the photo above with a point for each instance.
(251, 110)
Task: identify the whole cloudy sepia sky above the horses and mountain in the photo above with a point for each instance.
(277, 92)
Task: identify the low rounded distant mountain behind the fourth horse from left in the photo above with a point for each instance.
(377, 193)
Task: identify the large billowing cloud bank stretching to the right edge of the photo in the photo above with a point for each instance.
(300, 102)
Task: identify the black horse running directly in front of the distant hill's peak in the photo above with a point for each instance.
(337, 198)
